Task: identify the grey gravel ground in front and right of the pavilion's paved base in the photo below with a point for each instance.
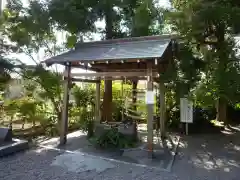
(208, 157)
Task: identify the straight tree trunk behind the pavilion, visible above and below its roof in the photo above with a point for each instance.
(107, 97)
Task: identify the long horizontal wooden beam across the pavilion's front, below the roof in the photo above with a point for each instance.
(112, 74)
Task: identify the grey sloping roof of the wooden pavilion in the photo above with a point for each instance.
(118, 49)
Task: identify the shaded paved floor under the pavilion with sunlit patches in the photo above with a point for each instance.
(164, 151)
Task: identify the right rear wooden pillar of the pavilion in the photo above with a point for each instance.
(162, 109)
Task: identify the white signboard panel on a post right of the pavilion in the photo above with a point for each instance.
(186, 110)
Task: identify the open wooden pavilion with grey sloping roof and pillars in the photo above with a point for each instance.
(142, 58)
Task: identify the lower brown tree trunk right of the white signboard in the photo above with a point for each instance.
(222, 111)
